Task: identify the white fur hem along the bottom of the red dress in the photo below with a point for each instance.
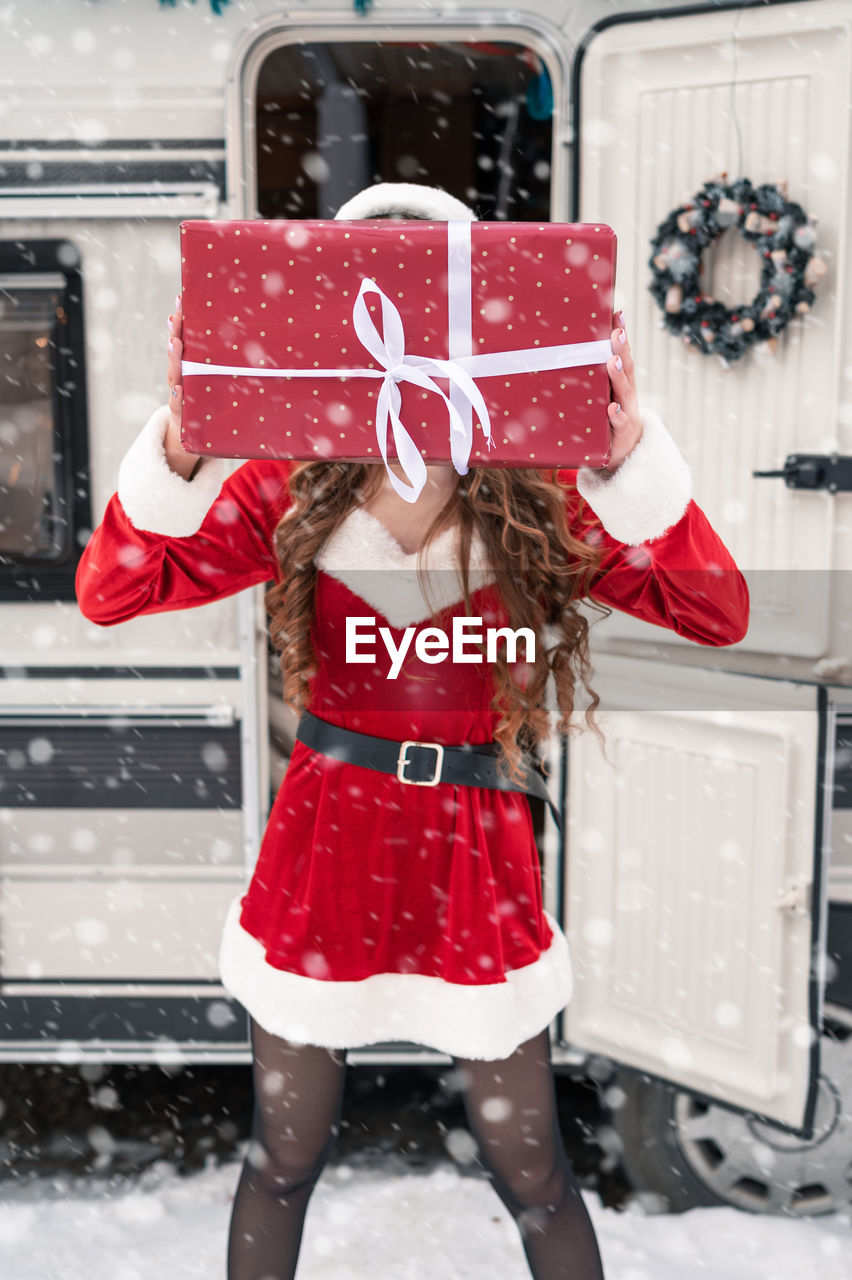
(466, 1021)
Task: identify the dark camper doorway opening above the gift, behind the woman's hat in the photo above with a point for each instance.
(474, 118)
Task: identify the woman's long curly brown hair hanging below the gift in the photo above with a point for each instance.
(544, 574)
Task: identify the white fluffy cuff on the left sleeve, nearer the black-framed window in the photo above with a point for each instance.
(157, 500)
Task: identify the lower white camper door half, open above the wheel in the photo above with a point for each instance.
(694, 884)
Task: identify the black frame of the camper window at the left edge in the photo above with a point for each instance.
(42, 579)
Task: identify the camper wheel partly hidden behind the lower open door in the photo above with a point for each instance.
(680, 1153)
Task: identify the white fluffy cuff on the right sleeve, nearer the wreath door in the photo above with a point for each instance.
(648, 493)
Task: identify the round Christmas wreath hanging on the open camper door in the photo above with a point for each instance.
(785, 237)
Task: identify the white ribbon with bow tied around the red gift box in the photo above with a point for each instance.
(390, 350)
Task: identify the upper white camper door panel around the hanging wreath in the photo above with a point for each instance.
(659, 113)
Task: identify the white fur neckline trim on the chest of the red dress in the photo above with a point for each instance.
(368, 559)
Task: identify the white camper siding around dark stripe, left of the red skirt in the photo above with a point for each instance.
(130, 894)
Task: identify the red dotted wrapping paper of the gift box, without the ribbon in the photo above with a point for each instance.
(280, 295)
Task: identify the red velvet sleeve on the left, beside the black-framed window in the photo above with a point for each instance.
(126, 572)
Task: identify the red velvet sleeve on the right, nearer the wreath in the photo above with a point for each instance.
(685, 580)
